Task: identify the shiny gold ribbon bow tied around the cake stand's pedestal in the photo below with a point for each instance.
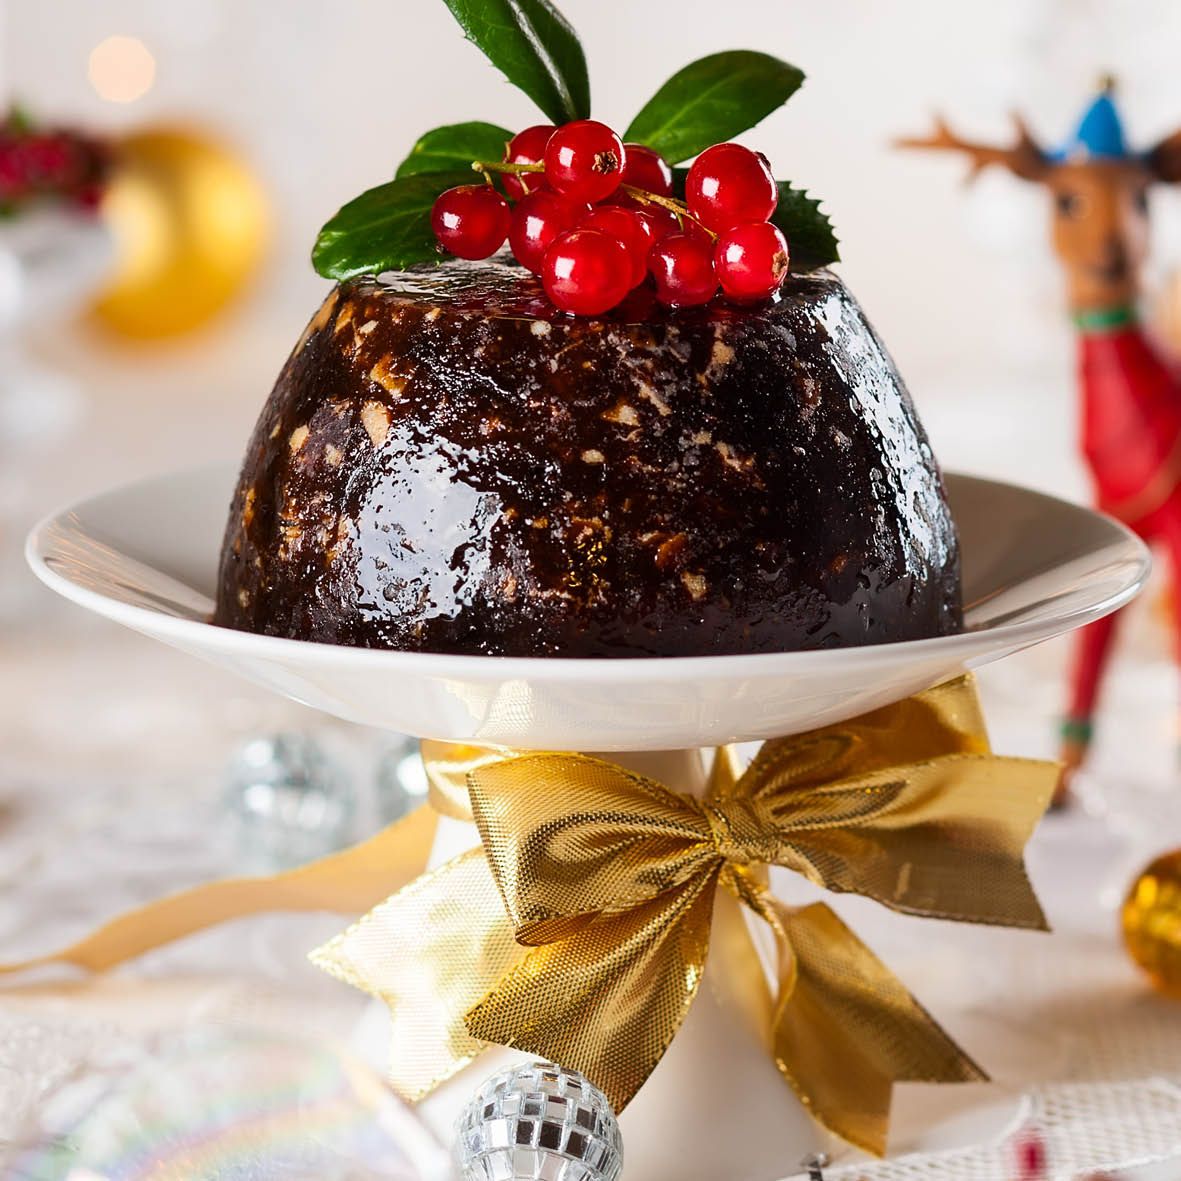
(580, 931)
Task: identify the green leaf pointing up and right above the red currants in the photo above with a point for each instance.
(712, 101)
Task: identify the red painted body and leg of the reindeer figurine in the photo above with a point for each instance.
(1132, 442)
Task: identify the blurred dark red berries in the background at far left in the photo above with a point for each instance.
(38, 164)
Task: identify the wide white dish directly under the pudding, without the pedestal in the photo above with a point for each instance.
(147, 557)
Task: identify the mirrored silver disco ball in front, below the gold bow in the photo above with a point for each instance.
(539, 1123)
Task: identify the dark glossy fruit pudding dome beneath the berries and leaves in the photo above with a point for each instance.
(449, 465)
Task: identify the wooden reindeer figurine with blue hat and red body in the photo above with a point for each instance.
(1131, 397)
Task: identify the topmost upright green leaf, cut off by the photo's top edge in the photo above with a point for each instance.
(534, 47)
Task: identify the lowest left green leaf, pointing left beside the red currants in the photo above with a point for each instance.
(384, 230)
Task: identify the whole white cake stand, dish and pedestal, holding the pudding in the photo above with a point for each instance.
(1034, 567)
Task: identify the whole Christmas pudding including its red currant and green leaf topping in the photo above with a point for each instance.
(660, 428)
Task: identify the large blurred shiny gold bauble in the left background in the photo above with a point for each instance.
(191, 224)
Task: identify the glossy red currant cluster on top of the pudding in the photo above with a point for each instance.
(596, 218)
